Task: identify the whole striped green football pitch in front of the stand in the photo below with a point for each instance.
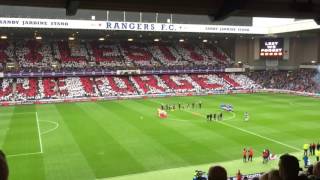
(125, 139)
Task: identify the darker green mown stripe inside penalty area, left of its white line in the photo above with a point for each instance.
(22, 139)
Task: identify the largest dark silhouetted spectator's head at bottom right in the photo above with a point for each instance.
(289, 167)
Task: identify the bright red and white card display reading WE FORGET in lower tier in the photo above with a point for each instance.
(24, 89)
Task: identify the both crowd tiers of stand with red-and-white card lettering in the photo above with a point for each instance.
(88, 56)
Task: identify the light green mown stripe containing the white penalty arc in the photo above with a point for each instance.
(62, 158)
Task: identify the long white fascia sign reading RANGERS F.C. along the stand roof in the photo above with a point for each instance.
(126, 26)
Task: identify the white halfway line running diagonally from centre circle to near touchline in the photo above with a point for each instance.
(252, 133)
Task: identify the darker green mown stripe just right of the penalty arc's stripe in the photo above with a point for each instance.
(99, 148)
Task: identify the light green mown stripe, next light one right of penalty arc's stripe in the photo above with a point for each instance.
(159, 156)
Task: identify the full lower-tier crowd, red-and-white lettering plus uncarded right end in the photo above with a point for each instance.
(21, 89)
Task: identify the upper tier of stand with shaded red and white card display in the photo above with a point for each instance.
(39, 56)
